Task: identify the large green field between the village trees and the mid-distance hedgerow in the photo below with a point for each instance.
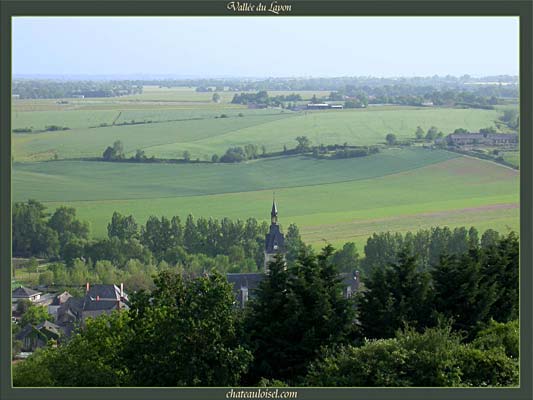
(346, 200)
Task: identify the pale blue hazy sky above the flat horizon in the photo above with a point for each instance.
(266, 46)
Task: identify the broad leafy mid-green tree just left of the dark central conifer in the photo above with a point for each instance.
(185, 334)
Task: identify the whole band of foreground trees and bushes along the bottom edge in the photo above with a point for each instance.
(455, 325)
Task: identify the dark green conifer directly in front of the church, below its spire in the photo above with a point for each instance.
(297, 310)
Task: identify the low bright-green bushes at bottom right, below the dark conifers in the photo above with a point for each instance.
(434, 358)
